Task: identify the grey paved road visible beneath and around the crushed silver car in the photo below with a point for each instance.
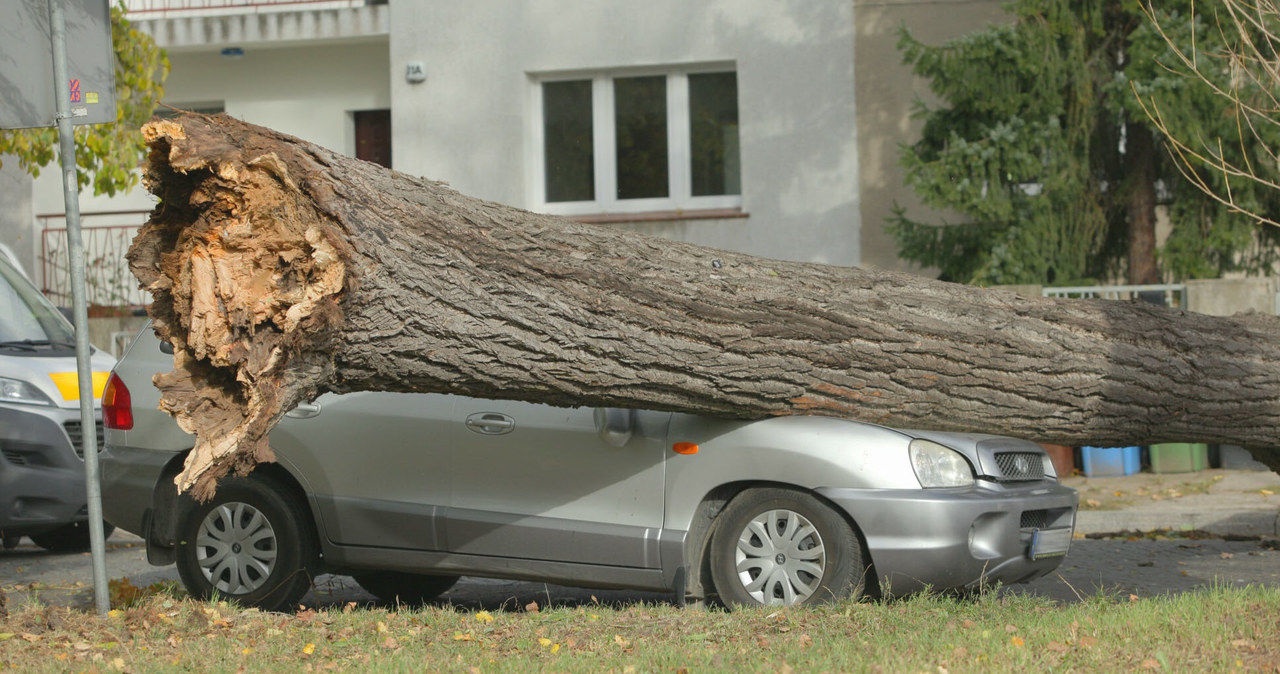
(1114, 567)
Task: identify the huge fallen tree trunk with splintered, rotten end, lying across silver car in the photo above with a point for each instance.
(281, 270)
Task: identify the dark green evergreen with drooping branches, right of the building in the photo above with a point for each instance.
(1043, 145)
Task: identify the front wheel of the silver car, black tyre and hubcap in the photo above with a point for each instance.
(783, 548)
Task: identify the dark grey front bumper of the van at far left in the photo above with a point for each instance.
(42, 476)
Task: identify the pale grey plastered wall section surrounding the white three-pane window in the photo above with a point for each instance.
(469, 123)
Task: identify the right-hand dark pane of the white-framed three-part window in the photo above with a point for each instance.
(715, 164)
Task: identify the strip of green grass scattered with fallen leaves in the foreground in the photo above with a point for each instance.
(1220, 630)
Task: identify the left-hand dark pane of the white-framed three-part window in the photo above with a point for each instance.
(569, 150)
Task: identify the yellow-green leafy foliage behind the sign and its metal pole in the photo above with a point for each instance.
(107, 154)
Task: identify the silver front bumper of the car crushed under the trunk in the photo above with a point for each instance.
(958, 539)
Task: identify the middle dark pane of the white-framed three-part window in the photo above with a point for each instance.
(641, 116)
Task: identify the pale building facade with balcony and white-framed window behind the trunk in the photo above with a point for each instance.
(758, 126)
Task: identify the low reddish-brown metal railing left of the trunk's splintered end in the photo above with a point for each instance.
(108, 281)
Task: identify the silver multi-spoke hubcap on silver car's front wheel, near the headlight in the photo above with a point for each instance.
(780, 558)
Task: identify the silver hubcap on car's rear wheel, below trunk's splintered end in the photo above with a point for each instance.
(236, 548)
